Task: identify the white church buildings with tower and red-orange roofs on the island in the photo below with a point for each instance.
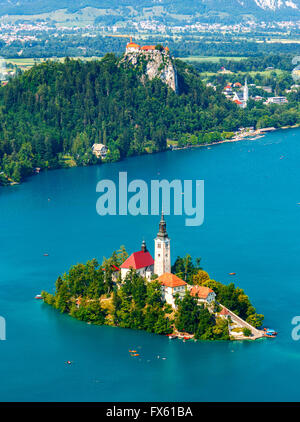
(159, 269)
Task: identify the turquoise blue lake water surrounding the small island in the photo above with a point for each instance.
(251, 227)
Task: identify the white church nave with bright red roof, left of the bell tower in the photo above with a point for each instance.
(140, 261)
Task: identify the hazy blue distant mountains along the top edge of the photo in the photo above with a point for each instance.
(165, 9)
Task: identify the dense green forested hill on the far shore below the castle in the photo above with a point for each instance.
(51, 115)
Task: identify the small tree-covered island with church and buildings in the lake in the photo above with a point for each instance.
(143, 293)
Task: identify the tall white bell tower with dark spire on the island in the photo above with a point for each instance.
(162, 257)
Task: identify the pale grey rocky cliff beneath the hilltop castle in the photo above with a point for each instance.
(154, 63)
